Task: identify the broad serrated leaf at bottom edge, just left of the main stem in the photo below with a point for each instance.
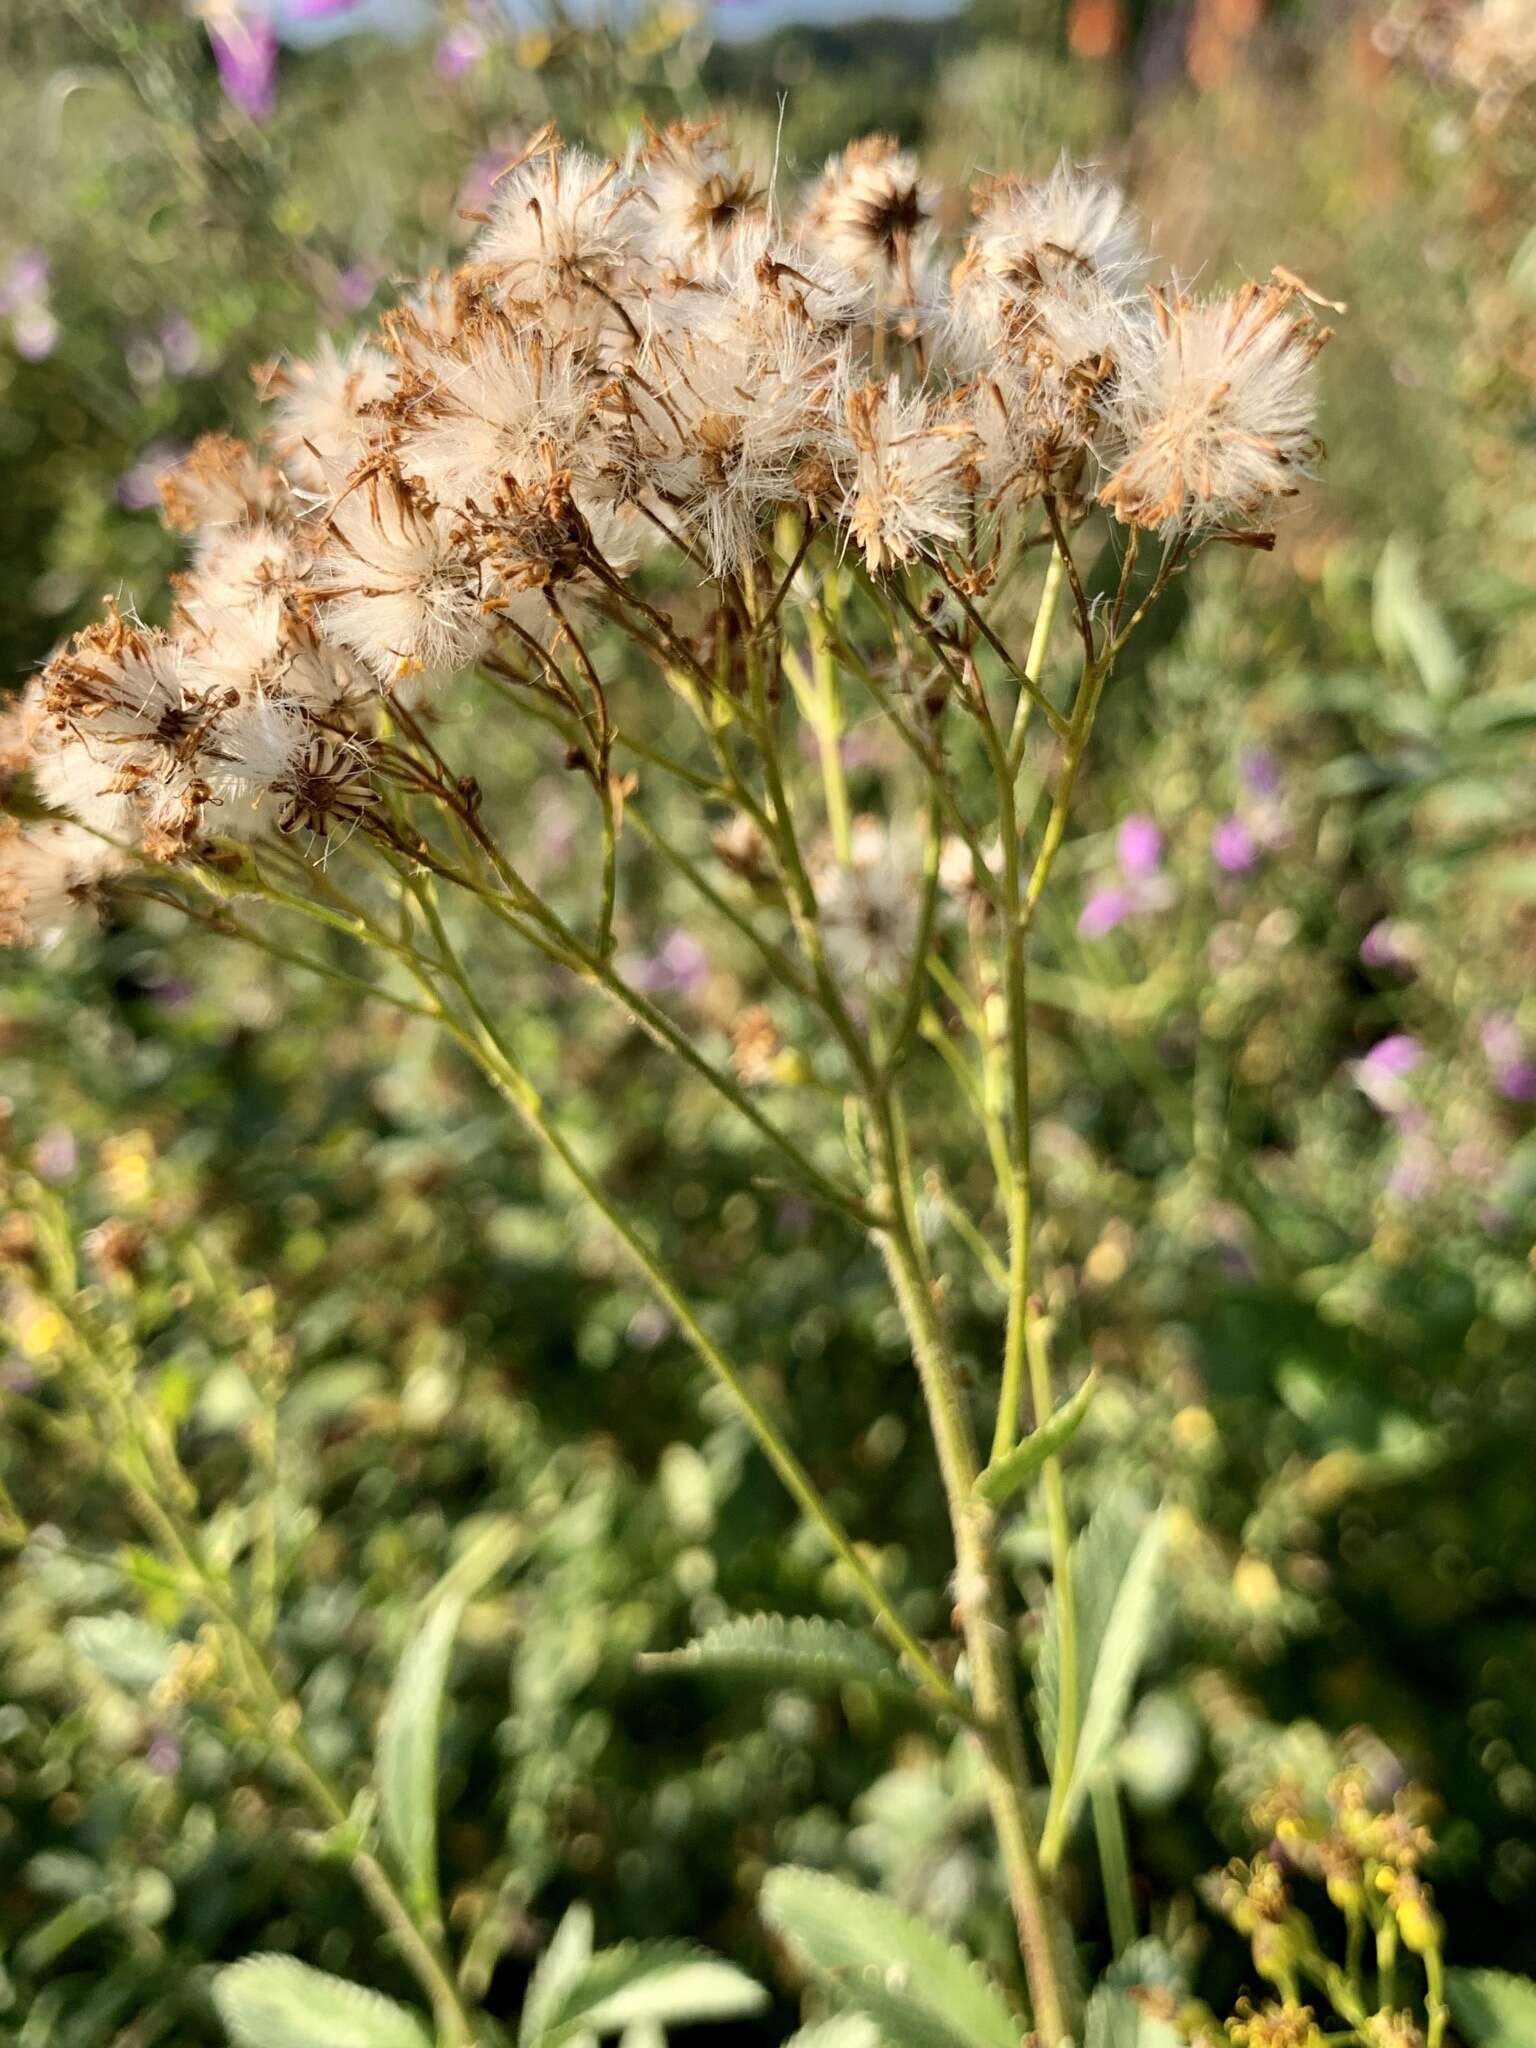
(888, 1965)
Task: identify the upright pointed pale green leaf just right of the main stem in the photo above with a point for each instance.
(1117, 1568)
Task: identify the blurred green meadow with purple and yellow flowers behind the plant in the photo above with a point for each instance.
(1289, 1072)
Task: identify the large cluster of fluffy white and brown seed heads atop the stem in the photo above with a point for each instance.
(642, 364)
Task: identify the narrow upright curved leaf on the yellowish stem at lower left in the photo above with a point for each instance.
(407, 1760)
